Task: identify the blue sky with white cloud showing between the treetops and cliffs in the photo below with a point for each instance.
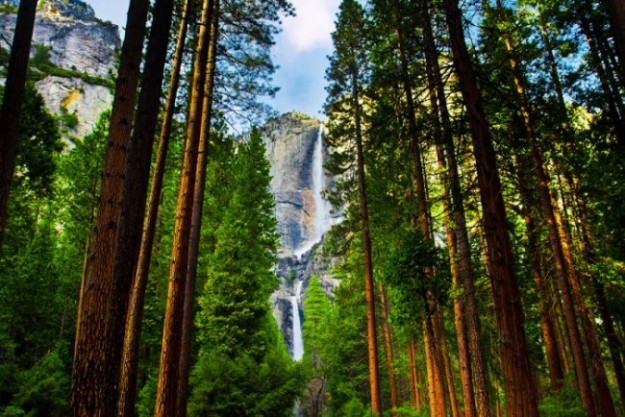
(301, 51)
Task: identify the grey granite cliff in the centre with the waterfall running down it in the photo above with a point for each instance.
(296, 152)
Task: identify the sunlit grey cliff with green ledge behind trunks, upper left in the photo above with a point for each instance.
(75, 41)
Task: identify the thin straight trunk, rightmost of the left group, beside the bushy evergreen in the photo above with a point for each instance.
(196, 217)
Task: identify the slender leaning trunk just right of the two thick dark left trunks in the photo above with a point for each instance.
(128, 378)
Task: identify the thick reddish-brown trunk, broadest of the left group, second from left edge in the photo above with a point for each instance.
(94, 374)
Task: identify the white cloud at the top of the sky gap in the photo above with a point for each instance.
(312, 26)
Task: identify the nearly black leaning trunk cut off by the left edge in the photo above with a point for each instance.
(11, 109)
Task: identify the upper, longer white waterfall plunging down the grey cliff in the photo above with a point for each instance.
(323, 220)
